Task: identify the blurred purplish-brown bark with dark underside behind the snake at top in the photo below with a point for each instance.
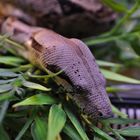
(72, 18)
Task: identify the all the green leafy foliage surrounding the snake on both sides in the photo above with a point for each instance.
(33, 106)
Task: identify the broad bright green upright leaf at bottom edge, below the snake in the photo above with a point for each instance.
(56, 122)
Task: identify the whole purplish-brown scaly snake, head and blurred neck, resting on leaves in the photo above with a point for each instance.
(48, 49)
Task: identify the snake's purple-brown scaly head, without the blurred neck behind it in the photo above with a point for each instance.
(80, 68)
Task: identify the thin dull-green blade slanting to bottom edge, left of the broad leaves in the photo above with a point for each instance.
(24, 129)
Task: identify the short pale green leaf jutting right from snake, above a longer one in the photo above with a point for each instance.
(107, 64)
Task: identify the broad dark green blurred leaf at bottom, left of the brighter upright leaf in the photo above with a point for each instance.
(39, 129)
